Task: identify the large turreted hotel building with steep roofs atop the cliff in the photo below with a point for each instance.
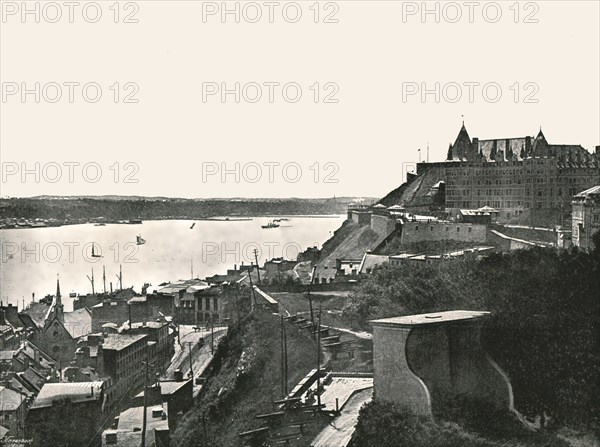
(513, 175)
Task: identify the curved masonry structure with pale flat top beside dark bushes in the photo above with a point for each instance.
(430, 362)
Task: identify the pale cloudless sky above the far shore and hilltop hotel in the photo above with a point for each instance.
(280, 99)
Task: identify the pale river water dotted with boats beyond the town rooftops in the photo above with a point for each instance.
(32, 258)
